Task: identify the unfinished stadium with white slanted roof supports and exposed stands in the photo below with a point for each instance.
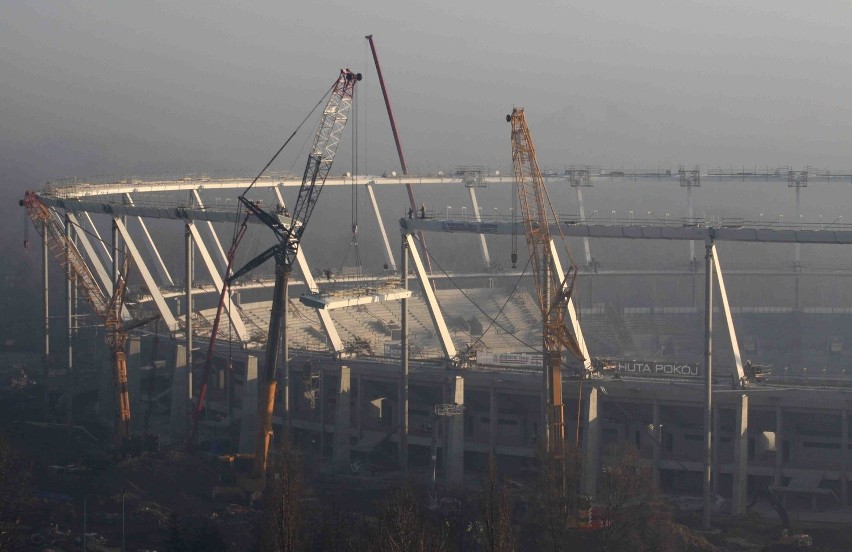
(471, 384)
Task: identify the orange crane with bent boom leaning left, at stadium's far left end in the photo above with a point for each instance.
(108, 308)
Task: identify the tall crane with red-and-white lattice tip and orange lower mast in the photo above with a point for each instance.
(288, 229)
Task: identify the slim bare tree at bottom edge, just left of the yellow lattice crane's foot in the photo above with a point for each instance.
(495, 515)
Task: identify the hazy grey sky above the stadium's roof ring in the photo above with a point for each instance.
(112, 87)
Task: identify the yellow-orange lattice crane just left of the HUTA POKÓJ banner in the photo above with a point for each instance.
(553, 292)
